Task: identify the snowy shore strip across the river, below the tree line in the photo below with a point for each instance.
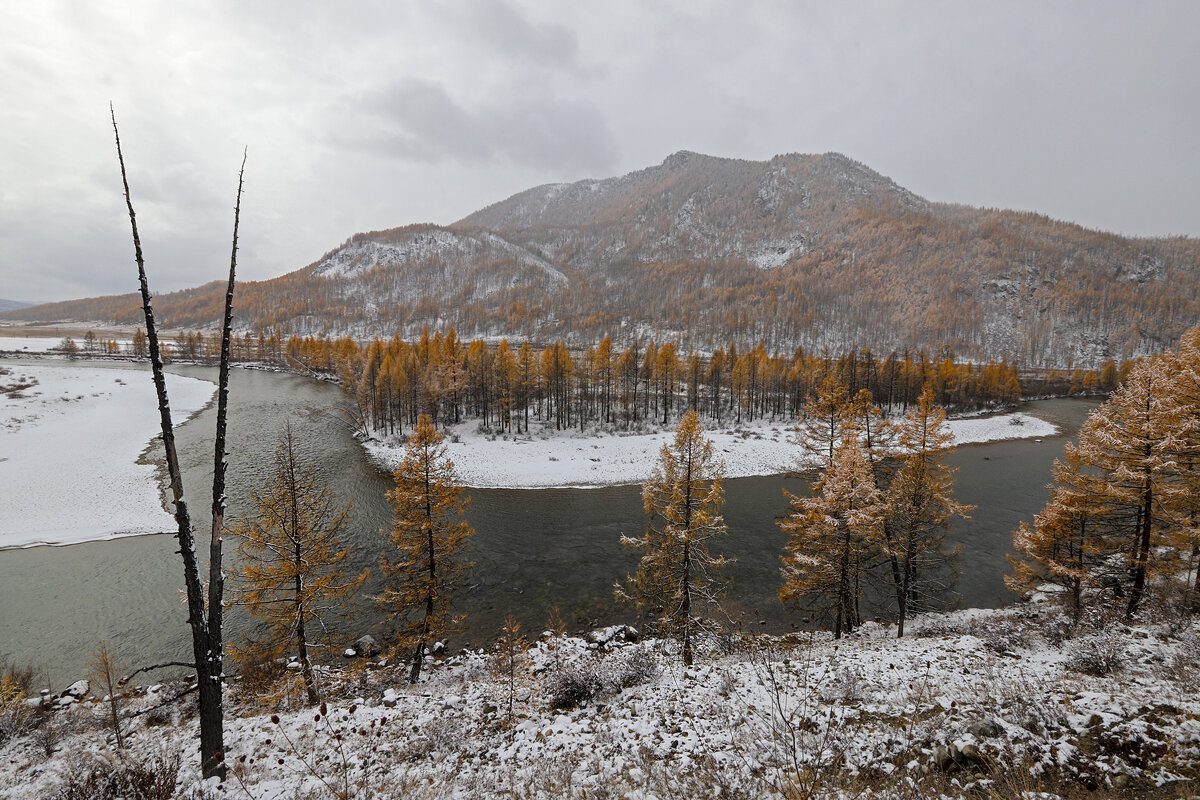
(568, 459)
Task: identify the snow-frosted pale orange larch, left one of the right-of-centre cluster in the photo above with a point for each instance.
(831, 538)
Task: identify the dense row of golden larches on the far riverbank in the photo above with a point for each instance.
(394, 382)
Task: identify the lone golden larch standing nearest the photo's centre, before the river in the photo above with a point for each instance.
(677, 579)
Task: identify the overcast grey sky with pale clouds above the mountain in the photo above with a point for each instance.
(362, 117)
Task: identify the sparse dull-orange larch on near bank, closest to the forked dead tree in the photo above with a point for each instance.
(293, 555)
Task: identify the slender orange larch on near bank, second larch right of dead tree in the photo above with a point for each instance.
(430, 538)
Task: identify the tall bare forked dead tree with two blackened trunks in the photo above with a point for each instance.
(205, 622)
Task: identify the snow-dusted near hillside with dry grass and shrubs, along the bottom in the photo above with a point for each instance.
(977, 703)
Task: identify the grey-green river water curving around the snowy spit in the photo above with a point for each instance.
(533, 550)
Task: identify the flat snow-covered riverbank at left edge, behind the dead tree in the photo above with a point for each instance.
(69, 452)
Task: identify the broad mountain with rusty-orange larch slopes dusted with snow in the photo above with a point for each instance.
(817, 251)
